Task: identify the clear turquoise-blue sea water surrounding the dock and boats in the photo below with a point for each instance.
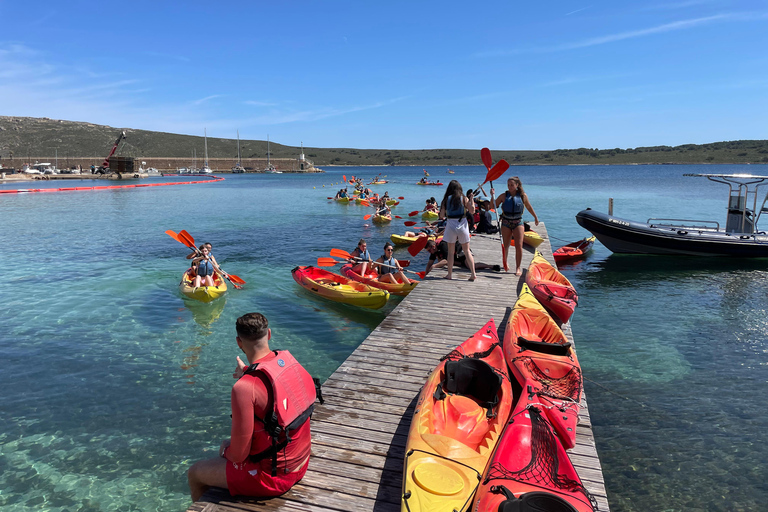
(113, 384)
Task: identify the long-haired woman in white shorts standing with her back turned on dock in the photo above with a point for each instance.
(454, 208)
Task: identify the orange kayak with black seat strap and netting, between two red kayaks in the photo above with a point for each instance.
(539, 354)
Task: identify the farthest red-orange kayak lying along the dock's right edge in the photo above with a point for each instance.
(553, 290)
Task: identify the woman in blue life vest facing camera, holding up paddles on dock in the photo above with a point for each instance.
(513, 203)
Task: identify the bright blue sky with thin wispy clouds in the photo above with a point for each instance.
(405, 75)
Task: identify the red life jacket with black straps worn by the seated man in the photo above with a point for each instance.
(294, 392)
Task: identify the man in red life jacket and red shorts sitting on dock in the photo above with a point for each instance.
(268, 451)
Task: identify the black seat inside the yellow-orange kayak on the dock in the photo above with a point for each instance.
(472, 378)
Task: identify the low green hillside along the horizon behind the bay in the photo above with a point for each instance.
(22, 138)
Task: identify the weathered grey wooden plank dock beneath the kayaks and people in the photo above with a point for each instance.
(359, 434)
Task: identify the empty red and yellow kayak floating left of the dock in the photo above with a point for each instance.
(338, 288)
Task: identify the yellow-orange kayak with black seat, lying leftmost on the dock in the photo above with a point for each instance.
(458, 419)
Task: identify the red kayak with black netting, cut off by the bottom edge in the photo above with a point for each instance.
(530, 469)
